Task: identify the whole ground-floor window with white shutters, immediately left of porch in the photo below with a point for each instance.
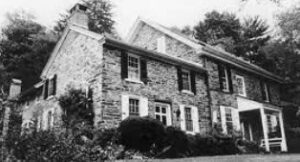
(230, 119)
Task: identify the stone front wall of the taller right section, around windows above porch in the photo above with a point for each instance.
(252, 83)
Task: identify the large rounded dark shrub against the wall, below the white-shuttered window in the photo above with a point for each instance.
(142, 134)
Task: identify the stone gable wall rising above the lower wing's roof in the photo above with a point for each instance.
(147, 38)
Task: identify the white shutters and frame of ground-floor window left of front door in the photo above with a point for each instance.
(143, 105)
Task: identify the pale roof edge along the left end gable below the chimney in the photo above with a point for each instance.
(63, 38)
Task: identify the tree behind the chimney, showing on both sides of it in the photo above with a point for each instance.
(100, 17)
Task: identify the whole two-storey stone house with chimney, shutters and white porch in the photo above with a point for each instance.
(158, 73)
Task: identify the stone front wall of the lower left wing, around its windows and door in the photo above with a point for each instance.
(162, 85)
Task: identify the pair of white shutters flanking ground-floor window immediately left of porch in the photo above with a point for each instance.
(235, 118)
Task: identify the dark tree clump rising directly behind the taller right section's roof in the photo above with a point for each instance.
(242, 39)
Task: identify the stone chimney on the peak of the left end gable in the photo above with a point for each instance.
(78, 16)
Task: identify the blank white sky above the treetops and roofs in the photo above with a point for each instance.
(166, 12)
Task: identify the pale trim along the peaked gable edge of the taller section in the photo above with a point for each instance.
(139, 23)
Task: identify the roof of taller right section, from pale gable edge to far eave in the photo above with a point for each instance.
(205, 50)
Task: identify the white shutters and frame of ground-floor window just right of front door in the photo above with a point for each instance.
(195, 118)
